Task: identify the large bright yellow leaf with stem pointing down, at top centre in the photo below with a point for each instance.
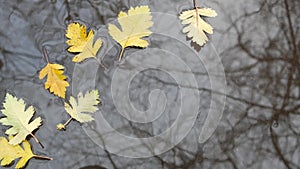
(134, 25)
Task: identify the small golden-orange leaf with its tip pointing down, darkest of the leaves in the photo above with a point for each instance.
(56, 81)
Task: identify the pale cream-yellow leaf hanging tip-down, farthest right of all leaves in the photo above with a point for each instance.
(196, 26)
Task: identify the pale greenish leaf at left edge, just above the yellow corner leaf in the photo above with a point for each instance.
(19, 119)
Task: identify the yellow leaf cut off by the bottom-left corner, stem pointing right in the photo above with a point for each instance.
(8, 153)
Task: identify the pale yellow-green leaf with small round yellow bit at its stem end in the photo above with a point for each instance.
(78, 110)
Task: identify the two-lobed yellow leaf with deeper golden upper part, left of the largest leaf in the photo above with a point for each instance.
(80, 41)
